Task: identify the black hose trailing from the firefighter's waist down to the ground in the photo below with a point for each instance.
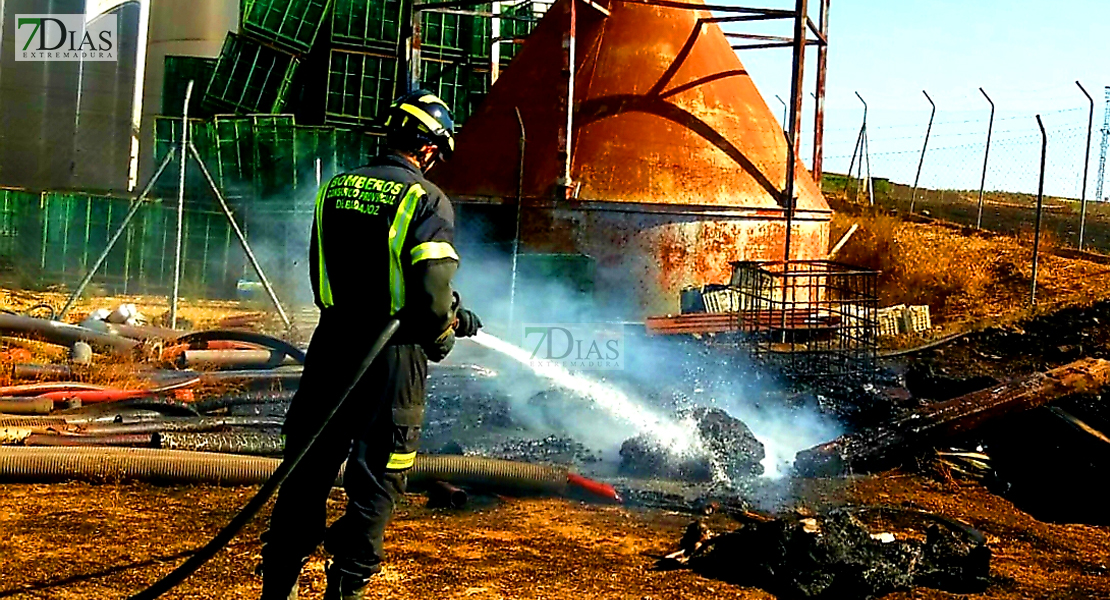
(253, 507)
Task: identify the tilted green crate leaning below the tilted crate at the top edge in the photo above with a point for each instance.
(250, 78)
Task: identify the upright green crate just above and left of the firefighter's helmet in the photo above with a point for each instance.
(360, 88)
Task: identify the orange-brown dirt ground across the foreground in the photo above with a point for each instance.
(105, 542)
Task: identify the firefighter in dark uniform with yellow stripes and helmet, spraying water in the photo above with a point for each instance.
(381, 248)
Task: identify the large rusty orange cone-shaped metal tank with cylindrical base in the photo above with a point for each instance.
(678, 164)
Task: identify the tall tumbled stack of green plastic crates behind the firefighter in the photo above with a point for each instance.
(300, 95)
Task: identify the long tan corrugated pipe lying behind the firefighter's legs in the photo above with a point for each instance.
(196, 467)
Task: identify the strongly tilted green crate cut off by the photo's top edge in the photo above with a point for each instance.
(290, 25)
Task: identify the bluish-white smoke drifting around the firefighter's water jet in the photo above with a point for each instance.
(661, 377)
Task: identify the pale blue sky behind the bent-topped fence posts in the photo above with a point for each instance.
(1026, 54)
